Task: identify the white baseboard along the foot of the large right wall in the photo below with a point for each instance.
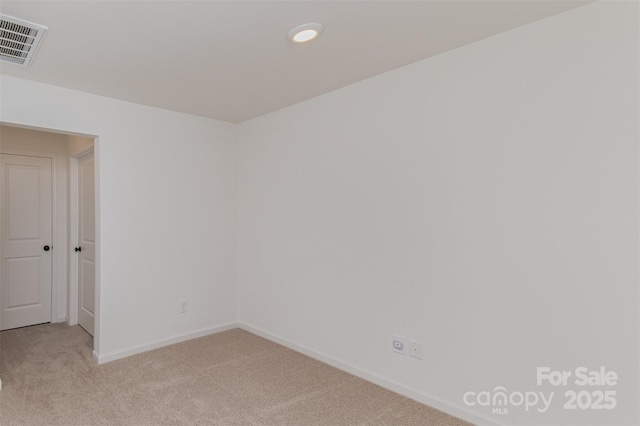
(373, 378)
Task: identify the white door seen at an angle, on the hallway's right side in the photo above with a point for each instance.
(86, 243)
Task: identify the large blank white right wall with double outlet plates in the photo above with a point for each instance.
(483, 202)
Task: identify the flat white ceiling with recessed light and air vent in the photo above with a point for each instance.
(231, 60)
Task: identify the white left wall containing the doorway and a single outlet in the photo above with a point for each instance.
(167, 212)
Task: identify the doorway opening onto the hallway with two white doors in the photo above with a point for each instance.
(47, 205)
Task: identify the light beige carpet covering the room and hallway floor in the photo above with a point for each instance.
(230, 378)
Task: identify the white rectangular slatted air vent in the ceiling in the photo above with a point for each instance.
(19, 40)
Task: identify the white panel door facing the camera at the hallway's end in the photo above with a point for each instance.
(25, 278)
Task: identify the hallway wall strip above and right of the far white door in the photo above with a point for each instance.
(17, 140)
